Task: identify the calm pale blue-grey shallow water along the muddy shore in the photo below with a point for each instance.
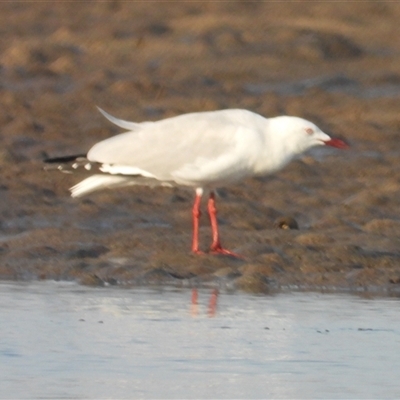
(61, 340)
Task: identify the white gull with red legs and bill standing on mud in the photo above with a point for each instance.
(200, 150)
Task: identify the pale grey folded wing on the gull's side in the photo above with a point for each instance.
(190, 149)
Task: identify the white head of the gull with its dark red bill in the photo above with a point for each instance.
(300, 134)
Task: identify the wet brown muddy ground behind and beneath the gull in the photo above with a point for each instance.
(335, 64)
